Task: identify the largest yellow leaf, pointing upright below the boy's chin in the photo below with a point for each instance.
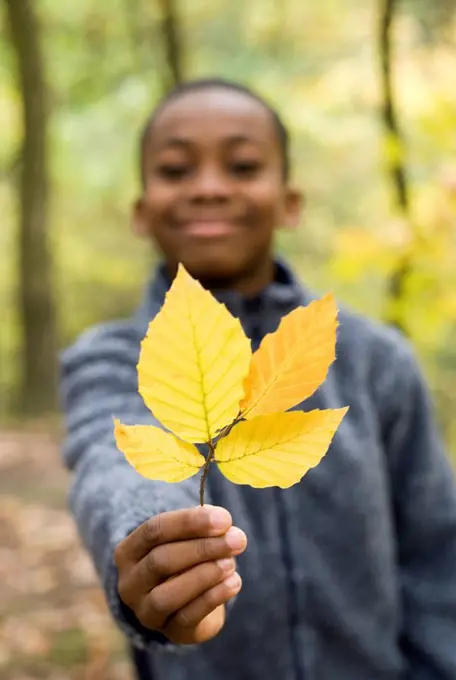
(193, 362)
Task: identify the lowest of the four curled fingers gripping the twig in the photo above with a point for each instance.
(192, 614)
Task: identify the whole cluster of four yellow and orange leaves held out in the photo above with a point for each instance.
(196, 373)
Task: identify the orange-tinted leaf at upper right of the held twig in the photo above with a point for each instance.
(292, 362)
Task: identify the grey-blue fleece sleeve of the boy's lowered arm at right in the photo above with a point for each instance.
(424, 500)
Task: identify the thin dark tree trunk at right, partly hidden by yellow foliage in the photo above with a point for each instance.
(396, 171)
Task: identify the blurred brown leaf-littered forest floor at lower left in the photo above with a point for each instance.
(54, 624)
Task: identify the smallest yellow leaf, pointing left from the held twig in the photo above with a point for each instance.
(157, 454)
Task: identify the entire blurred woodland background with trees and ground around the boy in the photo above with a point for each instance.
(368, 90)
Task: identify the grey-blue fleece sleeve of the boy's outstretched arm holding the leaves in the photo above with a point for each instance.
(108, 498)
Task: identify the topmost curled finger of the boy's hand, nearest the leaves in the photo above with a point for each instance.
(172, 526)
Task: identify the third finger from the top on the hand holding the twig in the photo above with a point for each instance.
(167, 598)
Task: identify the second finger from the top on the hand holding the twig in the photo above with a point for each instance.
(174, 558)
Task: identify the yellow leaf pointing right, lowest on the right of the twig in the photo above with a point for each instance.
(277, 449)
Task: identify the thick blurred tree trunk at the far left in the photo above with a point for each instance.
(35, 299)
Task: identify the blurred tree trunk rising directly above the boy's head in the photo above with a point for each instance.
(172, 43)
